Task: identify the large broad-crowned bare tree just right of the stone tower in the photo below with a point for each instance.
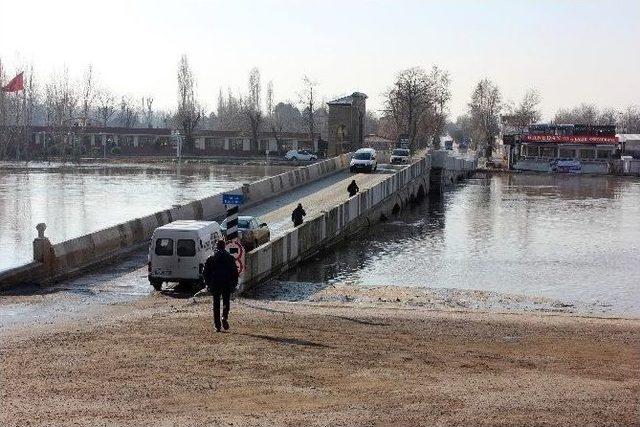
(408, 101)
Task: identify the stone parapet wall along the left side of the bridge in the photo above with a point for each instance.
(68, 258)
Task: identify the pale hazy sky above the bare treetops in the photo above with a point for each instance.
(571, 51)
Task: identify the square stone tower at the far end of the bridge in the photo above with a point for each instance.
(346, 123)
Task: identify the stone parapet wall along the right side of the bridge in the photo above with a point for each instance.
(361, 210)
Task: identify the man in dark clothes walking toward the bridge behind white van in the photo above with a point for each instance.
(221, 277)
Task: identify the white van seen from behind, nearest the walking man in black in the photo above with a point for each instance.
(178, 251)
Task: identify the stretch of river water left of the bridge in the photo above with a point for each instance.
(78, 199)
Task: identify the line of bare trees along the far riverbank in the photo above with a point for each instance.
(415, 107)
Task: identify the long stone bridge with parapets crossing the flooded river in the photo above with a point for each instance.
(320, 187)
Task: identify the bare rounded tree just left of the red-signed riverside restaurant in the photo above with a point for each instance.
(484, 108)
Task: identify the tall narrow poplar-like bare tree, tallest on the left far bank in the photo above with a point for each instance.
(189, 111)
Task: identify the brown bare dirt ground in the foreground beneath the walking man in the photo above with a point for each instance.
(157, 362)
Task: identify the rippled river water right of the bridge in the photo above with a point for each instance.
(574, 238)
